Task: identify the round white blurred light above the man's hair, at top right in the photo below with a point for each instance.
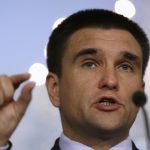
(125, 7)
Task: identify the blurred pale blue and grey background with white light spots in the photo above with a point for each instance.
(25, 26)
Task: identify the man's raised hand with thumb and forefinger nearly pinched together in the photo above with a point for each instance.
(12, 111)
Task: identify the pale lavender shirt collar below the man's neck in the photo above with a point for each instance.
(66, 143)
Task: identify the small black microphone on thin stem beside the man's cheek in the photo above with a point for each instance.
(140, 99)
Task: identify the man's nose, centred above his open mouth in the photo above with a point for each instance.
(109, 80)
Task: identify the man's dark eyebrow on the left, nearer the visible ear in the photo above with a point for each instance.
(84, 52)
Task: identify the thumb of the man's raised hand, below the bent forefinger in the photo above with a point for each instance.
(24, 100)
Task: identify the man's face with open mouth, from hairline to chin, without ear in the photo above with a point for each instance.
(101, 69)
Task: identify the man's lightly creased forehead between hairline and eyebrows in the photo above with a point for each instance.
(105, 39)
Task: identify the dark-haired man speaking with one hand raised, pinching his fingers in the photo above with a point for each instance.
(96, 61)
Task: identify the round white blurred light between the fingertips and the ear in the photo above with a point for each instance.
(38, 73)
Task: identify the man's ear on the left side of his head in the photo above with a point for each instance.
(52, 85)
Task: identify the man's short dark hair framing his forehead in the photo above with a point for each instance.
(98, 18)
